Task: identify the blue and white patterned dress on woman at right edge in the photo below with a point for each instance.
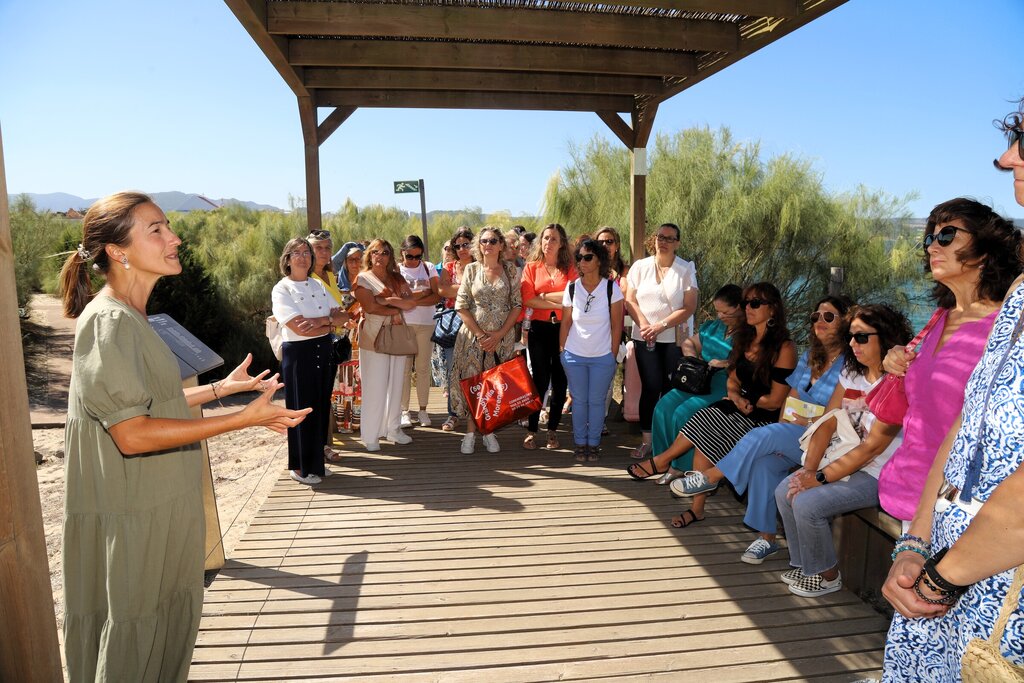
(930, 650)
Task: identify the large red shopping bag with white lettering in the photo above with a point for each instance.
(500, 396)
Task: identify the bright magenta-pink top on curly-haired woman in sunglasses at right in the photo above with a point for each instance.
(935, 386)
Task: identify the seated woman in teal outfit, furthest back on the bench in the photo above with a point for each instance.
(713, 344)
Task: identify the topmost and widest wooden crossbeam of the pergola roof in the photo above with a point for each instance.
(501, 24)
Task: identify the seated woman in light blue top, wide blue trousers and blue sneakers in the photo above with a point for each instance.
(766, 455)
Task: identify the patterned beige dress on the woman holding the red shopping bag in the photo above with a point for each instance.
(490, 305)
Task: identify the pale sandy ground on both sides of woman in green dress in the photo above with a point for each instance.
(245, 464)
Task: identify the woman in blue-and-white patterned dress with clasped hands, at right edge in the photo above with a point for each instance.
(970, 524)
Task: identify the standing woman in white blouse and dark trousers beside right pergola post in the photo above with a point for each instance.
(662, 294)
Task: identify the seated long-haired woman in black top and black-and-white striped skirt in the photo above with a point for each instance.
(762, 359)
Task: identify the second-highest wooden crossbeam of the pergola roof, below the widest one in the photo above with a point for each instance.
(544, 59)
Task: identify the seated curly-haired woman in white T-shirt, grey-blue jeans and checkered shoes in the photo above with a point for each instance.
(812, 497)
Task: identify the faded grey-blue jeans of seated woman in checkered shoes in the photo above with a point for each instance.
(807, 519)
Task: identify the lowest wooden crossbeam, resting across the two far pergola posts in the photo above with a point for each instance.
(474, 101)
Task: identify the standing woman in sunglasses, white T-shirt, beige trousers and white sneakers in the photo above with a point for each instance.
(422, 280)
